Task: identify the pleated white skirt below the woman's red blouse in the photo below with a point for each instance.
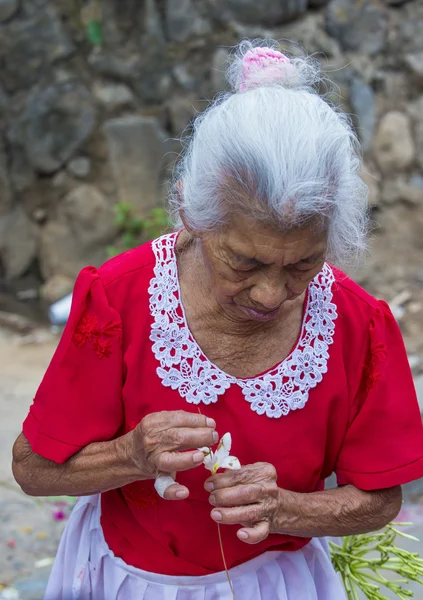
(86, 569)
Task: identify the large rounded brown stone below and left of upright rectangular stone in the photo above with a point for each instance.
(84, 227)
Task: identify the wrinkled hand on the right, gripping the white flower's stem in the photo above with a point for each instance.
(249, 497)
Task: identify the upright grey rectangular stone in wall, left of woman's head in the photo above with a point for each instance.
(135, 153)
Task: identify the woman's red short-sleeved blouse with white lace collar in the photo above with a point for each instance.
(342, 401)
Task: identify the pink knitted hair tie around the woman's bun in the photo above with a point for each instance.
(263, 66)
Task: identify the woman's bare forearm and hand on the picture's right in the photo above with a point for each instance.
(251, 497)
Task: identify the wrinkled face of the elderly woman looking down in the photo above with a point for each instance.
(254, 270)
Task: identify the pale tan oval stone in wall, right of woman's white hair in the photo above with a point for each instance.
(394, 146)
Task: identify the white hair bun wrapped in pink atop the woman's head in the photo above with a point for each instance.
(262, 66)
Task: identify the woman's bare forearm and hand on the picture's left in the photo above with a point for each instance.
(155, 445)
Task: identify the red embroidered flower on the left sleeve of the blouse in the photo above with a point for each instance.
(90, 330)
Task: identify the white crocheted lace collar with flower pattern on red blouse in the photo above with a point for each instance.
(185, 368)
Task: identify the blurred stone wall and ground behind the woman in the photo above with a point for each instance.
(95, 97)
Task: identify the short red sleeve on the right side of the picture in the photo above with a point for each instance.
(383, 446)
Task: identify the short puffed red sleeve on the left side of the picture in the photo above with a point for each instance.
(79, 399)
